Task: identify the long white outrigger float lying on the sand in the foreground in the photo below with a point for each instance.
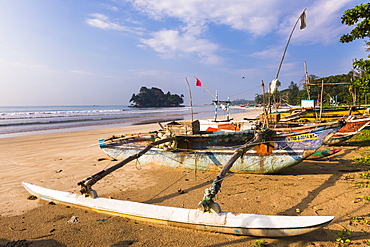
(223, 222)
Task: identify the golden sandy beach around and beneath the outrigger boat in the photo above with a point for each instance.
(332, 186)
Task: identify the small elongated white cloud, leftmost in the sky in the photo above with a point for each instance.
(102, 21)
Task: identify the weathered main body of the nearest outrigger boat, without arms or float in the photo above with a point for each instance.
(209, 151)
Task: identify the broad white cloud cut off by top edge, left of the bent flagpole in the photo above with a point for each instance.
(256, 17)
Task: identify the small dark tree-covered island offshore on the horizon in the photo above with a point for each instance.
(154, 97)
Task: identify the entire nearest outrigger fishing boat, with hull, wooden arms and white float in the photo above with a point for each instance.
(258, 150)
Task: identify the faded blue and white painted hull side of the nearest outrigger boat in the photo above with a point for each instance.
(282, 152)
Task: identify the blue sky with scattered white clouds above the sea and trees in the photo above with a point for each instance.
(100, 52)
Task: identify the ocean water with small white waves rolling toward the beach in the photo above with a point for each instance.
(28, 120)
